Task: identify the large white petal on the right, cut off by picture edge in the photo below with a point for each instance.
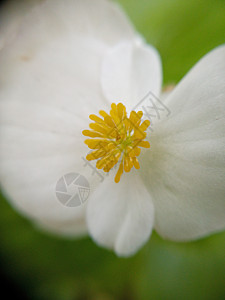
(185, 172)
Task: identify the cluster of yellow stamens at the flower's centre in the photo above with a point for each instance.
(116, 138)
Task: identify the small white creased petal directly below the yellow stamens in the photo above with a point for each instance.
(120, 216)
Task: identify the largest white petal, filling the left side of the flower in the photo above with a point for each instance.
(50, 70)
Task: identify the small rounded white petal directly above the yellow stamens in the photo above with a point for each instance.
(130, 71)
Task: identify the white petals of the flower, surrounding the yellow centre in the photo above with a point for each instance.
(70, 59)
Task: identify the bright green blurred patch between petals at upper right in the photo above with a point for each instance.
(182, 31)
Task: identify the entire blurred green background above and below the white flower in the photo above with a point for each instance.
(36, 265)
